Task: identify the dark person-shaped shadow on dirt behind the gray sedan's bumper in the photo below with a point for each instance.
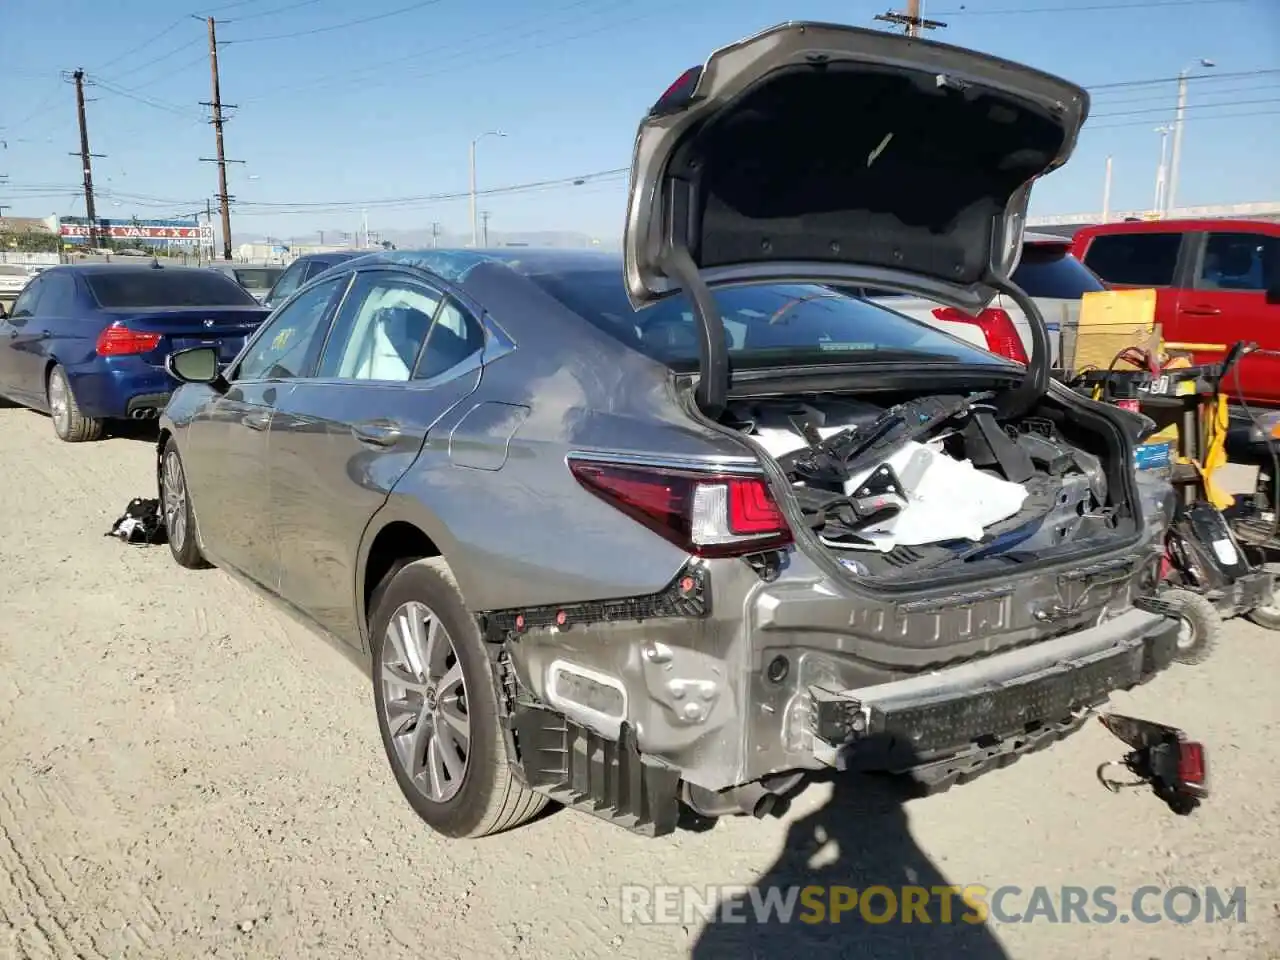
(860, 840)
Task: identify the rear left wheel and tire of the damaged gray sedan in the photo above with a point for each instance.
(423, 691)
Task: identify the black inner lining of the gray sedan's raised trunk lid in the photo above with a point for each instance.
(915, 180)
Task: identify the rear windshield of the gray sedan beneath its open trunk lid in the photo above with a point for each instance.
(776, 322)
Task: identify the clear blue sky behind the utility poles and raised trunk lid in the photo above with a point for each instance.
(386, 109)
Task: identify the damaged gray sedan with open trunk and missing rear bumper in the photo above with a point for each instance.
(676, 529)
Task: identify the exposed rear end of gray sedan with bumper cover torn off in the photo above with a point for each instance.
(629, 714)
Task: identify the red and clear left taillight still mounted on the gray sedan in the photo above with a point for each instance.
(721, 515)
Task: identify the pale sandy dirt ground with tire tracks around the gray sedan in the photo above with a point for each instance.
(186, 774)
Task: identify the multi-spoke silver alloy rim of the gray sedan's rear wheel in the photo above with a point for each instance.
(426, 702)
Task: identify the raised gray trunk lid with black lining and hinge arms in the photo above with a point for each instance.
(830, 154)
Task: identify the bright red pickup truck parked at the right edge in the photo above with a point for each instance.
(1217, 282)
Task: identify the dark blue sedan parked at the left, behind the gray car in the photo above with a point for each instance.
(88, 344)
